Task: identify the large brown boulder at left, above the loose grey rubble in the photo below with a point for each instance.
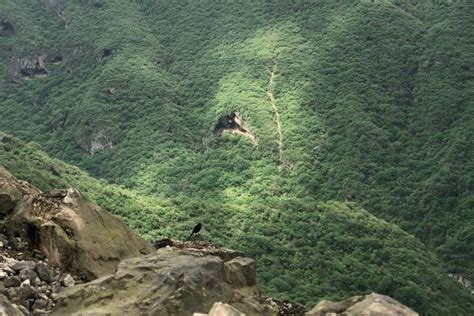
(75, 235)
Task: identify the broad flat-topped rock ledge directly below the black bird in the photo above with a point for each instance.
(170, 281)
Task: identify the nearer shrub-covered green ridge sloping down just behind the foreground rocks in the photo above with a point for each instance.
(342, 251)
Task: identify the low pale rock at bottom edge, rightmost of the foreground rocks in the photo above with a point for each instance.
(372, 304)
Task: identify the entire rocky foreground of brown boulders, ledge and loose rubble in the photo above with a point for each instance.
(55, 241)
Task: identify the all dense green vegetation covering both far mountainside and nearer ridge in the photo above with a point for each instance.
(374, 102)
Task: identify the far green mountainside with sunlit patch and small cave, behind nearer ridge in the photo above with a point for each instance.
(370, 102)
